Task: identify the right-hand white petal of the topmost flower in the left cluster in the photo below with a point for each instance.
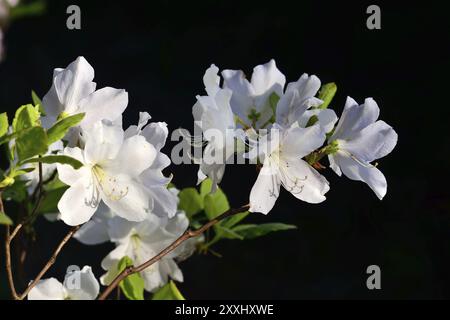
(106, 103)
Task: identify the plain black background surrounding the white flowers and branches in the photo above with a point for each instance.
(159, 50)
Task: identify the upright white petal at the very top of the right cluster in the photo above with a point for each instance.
(267, 77)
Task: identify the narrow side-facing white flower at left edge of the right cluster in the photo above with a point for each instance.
(213, 115)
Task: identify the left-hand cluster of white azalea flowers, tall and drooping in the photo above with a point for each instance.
(119, 193)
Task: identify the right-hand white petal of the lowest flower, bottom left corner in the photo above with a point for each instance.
(88, 285)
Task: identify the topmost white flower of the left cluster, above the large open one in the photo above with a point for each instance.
(73, 91)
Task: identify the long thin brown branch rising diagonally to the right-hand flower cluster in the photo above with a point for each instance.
(185, 236)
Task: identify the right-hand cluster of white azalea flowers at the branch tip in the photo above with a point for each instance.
(286, 130)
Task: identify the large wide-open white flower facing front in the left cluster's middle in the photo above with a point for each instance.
(110, 171)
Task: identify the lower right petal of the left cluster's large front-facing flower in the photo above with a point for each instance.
(127, 198)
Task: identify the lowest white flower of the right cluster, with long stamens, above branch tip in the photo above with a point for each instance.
(281, 154)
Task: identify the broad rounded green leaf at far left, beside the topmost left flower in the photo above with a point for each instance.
(31, 142)
